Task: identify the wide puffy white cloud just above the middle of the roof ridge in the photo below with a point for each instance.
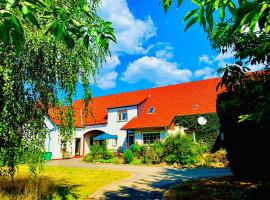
(155, 70)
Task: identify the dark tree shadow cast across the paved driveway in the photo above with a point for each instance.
(154, 188)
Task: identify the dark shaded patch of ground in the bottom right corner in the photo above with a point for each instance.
(224, 188)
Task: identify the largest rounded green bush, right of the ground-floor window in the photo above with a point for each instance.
(182, 150)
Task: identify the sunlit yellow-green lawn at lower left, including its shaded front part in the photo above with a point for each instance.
(58, 183)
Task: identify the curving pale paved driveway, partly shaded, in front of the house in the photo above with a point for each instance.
(145, 183)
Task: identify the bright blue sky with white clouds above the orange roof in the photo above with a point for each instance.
(153, 49)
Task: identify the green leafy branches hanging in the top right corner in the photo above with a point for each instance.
(243, 26)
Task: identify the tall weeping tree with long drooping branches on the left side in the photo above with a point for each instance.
(39, 72)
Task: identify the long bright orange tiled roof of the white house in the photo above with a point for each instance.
(168, 101)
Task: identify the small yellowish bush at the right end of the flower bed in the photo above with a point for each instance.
(217, 159)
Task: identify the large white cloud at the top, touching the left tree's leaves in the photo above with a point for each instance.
(131, 33)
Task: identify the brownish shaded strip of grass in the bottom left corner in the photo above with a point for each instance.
(36, 188)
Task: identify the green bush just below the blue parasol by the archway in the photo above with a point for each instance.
(98, 152)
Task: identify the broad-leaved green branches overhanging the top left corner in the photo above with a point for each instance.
(66, 20)
